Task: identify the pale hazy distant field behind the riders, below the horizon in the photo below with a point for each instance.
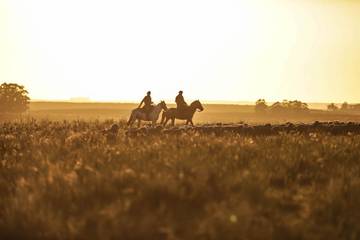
(213, 113)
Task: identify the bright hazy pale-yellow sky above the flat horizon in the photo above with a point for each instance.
(213, 50)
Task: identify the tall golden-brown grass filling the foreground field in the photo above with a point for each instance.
(72, 180)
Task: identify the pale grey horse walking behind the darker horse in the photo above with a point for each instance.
(139, 114)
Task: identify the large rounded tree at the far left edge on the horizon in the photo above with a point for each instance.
(13, 98)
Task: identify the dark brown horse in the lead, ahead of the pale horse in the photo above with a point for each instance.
(187, 114)
